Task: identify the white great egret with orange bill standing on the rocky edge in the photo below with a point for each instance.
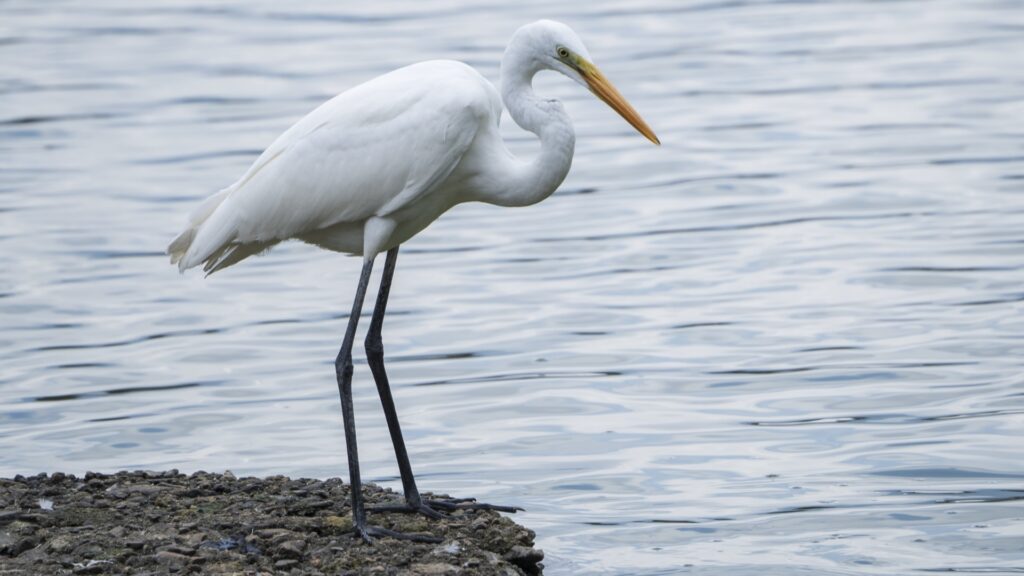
(375, 166)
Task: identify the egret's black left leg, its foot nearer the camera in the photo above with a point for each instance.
(344, 371)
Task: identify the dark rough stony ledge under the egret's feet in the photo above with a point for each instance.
(168, 523)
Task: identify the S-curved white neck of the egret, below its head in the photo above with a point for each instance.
(531, 182)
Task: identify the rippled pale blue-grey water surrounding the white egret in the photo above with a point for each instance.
(788, 342)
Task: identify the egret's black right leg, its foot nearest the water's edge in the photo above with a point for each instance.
(375, 357)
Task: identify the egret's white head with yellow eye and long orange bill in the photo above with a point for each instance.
(556, 47)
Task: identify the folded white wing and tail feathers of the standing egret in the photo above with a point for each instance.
(369, 152)
